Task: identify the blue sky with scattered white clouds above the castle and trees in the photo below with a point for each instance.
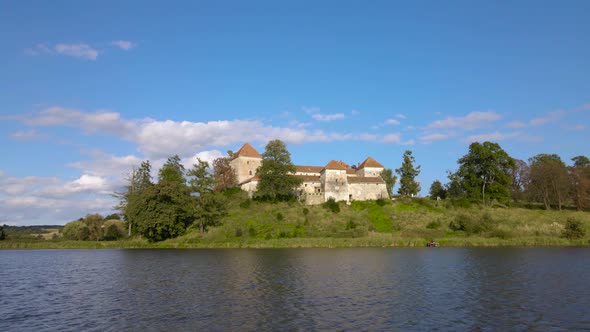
(89, 89)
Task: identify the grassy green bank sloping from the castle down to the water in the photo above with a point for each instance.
(252, 224)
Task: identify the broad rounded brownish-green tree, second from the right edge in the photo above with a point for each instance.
(549, 180)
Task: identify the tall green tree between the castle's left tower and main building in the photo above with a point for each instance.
(276, 179)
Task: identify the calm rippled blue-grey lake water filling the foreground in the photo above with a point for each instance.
(444, 289)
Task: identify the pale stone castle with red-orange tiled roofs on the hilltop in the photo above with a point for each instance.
(335, 180)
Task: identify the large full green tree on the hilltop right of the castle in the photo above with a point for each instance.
(485, 172)
